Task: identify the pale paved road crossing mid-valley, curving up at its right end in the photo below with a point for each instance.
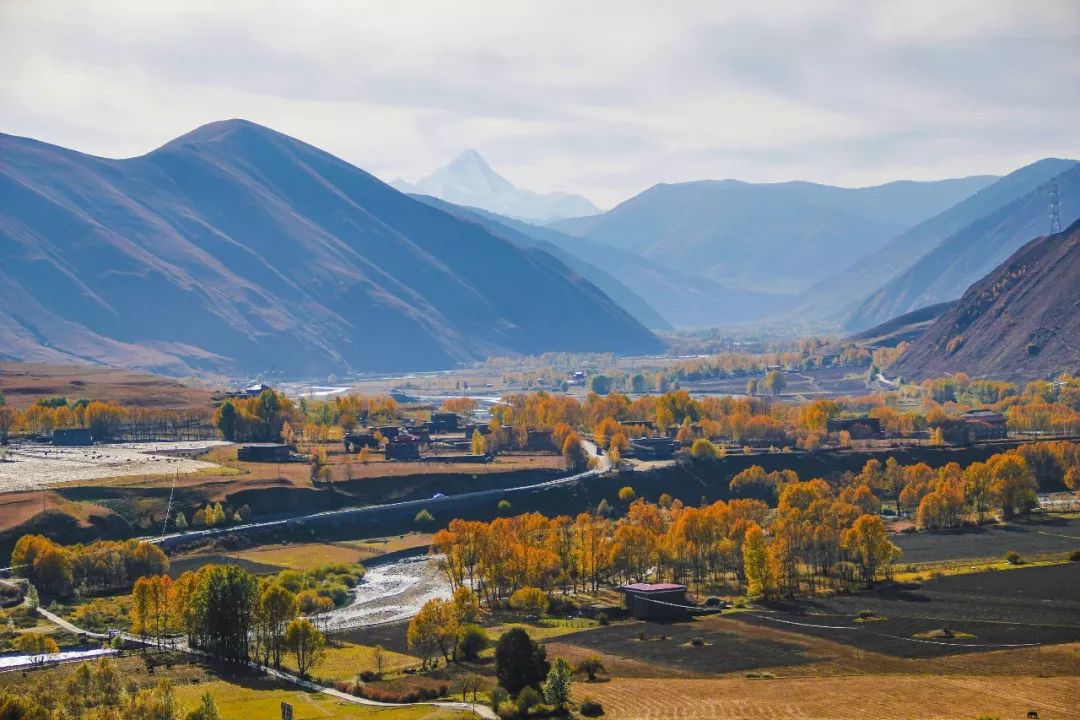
(603, 466)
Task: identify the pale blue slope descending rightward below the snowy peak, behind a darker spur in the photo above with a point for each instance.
(661, 297)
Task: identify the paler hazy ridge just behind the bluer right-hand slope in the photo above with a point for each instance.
(839, 295)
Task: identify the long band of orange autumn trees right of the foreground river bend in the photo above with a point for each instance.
(817, 535)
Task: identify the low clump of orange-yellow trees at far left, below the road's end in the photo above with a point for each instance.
(103, 565)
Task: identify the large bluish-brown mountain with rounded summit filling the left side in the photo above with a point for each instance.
(236, 248)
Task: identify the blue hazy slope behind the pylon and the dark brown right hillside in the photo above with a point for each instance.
(947, 271)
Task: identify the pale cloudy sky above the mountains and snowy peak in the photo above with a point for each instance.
(604, 99)
